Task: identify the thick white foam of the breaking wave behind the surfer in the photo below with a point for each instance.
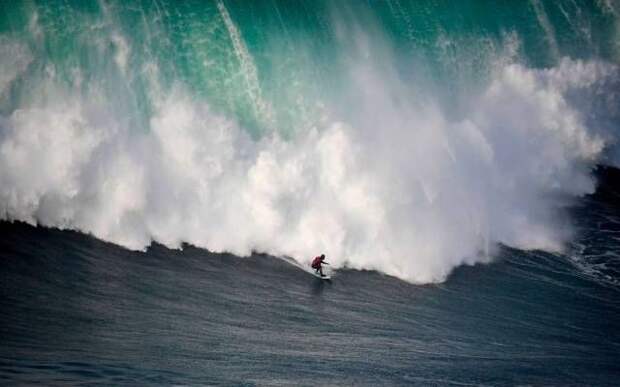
(397, 187)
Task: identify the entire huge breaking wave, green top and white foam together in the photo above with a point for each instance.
(404, 137)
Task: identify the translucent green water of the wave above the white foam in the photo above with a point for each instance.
(284, 66)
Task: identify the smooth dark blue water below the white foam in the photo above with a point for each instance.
(78, 311)
